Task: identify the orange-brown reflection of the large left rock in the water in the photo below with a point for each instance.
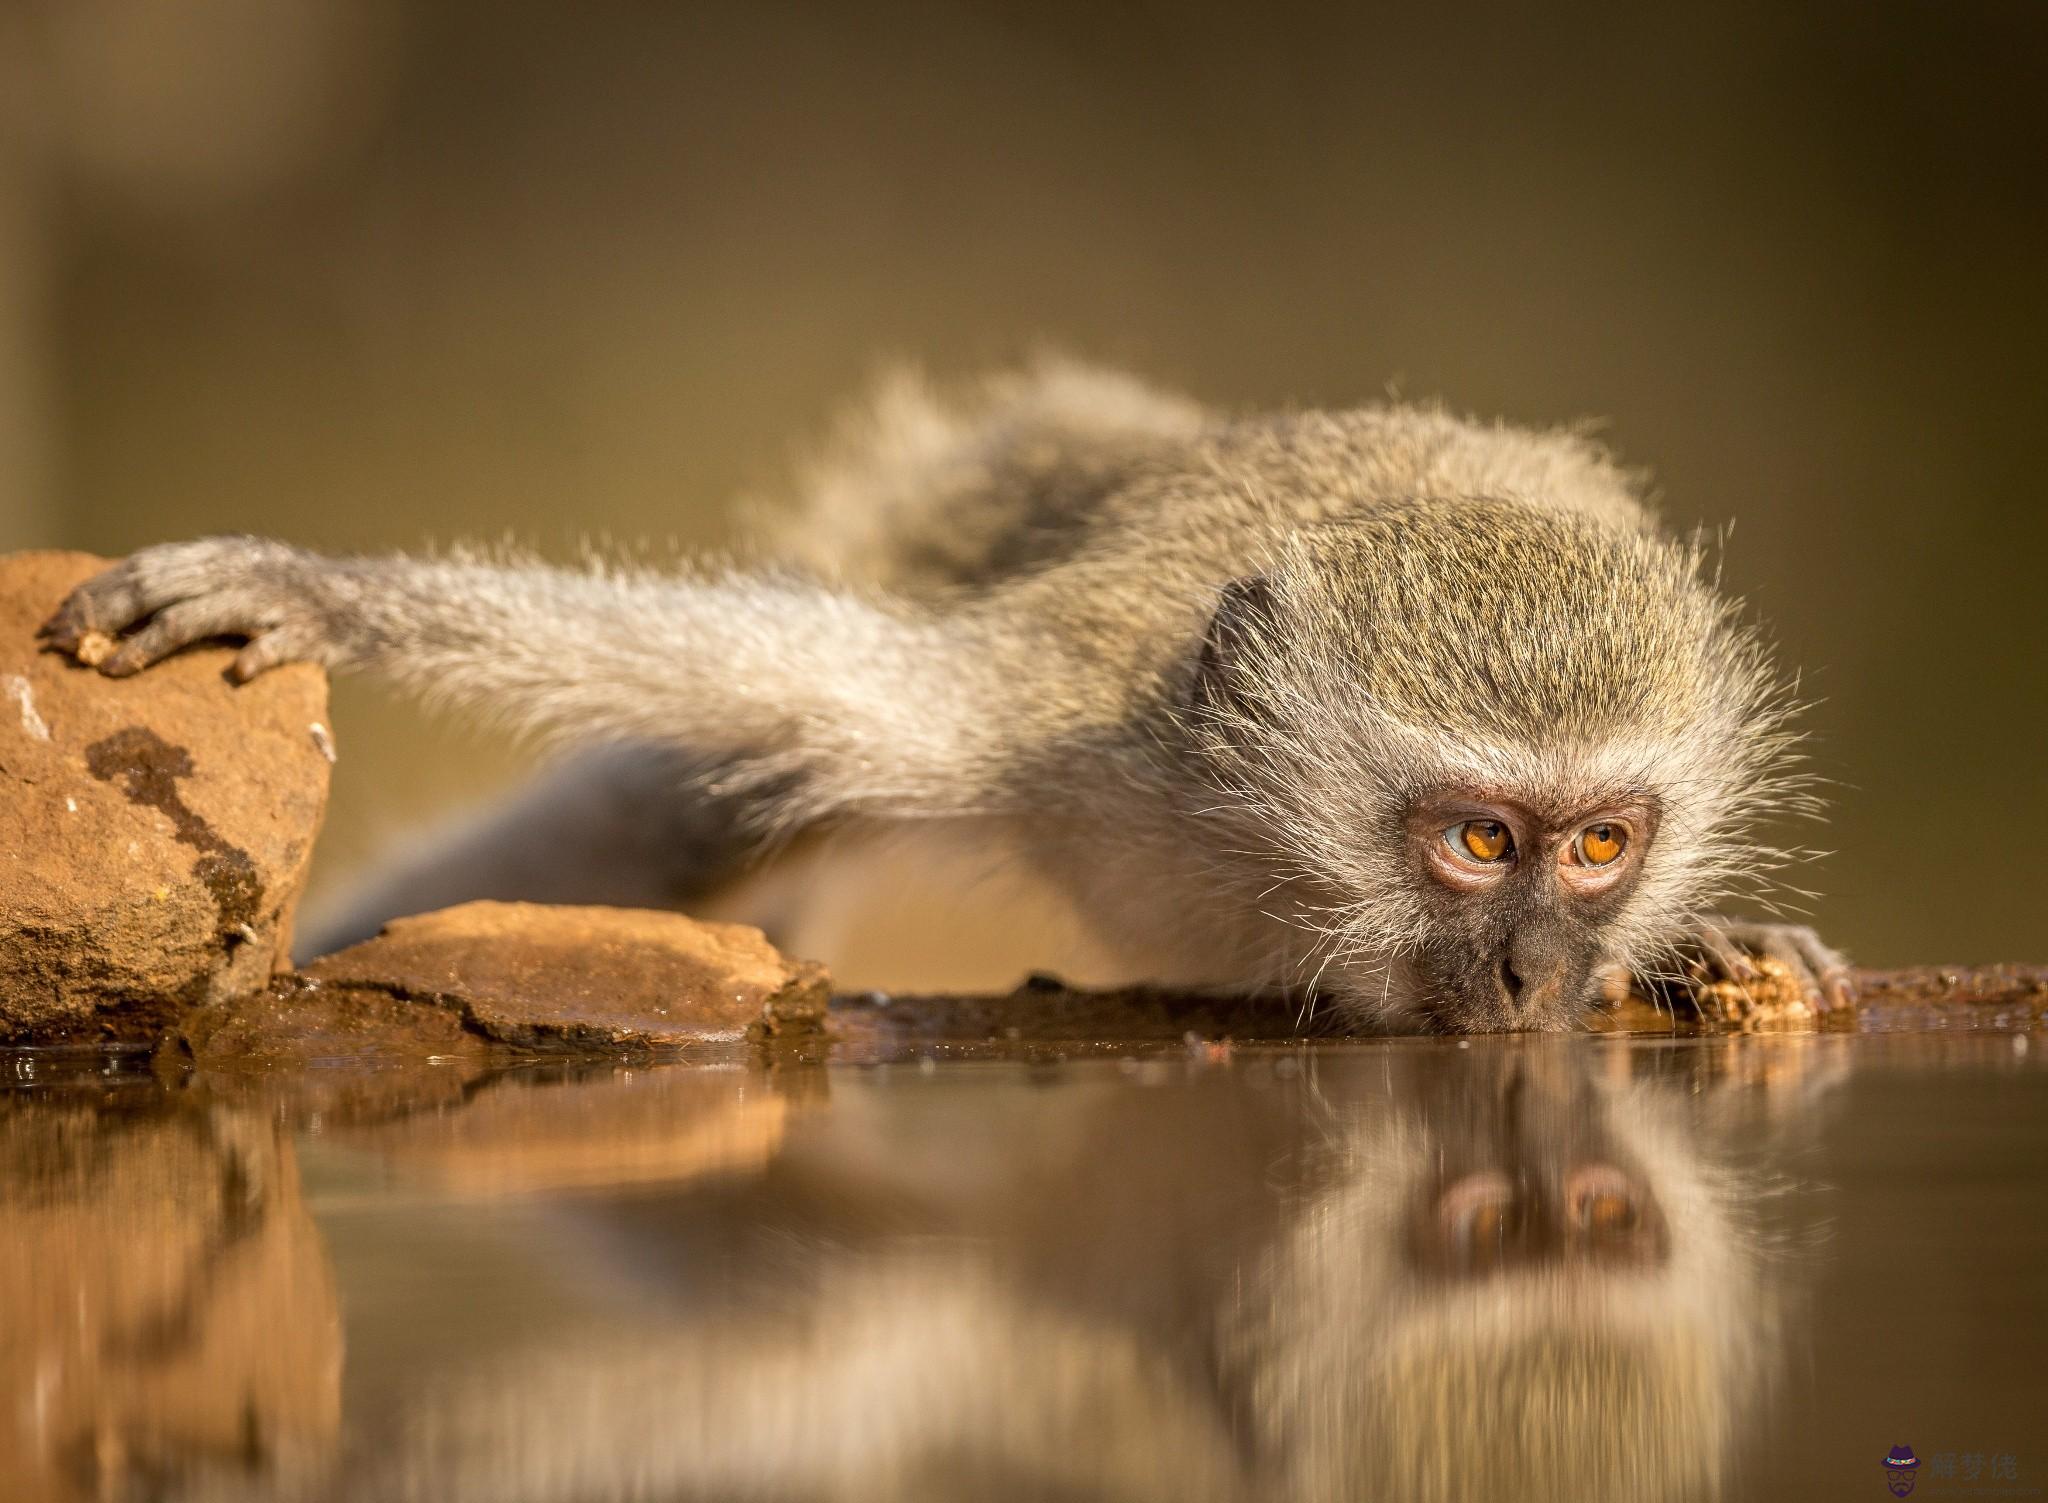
(165, 1299)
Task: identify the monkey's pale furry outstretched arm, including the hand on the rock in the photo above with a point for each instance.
(865, 703)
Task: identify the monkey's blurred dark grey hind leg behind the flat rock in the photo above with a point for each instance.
(628, 826)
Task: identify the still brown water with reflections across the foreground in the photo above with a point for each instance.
(1551, 1269)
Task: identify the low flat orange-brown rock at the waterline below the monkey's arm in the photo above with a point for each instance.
(538, 976)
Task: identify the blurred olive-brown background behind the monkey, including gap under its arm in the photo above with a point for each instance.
(366, 273)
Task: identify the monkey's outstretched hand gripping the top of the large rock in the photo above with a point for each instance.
(286, 605)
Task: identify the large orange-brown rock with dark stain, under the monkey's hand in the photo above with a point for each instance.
(155, 832)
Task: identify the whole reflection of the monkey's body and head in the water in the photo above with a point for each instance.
(1418, 1277)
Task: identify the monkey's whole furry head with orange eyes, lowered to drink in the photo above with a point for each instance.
(1486, 755)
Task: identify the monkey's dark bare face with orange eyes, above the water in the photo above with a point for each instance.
(1519, 904)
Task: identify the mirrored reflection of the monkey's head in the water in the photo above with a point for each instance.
(1527, 1289)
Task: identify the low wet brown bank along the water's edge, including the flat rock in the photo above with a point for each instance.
(364, 1011)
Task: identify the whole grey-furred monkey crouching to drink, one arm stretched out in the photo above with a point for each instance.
(1412, 720)
